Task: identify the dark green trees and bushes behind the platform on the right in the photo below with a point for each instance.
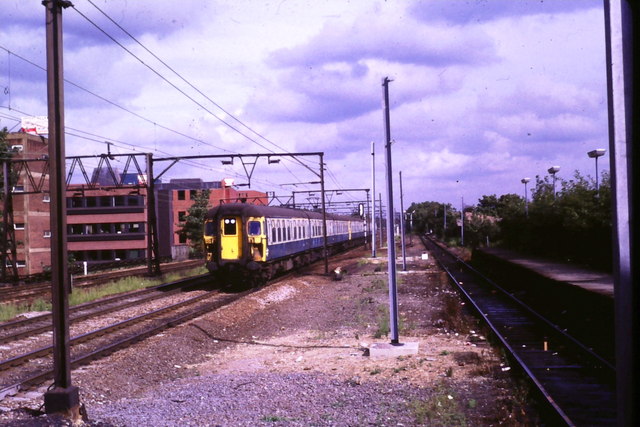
(574, 226)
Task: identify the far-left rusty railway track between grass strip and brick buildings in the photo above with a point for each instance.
(29, 292)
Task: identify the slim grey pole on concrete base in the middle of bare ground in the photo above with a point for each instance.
(391, 247)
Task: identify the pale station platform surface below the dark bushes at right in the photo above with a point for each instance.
(589, 280)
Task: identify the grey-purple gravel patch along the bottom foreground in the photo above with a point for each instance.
(265, 399)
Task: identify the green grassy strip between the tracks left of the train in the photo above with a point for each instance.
(80, 296)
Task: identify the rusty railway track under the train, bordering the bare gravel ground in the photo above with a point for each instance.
(33, 366)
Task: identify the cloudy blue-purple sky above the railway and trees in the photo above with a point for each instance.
(483, 92)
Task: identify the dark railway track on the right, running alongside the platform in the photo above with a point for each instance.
(576, 383)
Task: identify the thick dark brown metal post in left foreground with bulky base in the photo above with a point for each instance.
(63, 397)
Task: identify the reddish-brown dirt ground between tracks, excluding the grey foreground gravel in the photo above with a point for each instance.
(310, 323)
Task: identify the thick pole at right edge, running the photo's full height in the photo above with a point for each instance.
(623, 99)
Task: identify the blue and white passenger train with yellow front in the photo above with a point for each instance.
(248, 244)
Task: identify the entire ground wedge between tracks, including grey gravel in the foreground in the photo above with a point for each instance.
(294, 353)
